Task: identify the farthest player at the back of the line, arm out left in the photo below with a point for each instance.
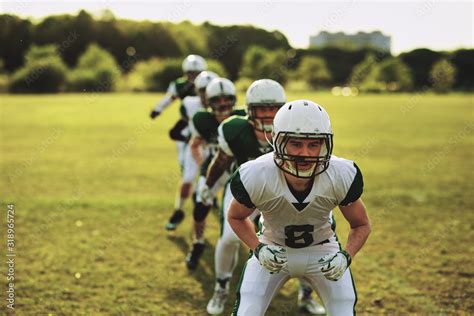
(181, 88)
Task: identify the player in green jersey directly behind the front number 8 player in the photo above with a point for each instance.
(243, 139)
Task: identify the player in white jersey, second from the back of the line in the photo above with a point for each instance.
(191, 104)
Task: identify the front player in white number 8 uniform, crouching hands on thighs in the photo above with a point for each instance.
(295, 188)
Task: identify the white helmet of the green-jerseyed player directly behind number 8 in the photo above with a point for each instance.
(264, 93)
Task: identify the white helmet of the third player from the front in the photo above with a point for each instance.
(221, 97)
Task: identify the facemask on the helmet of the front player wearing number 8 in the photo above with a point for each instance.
(298, 165)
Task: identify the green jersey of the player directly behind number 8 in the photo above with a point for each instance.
(236, 137)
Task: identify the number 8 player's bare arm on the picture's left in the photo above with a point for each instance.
(241, 224)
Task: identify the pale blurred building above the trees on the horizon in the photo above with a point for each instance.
(361, 39)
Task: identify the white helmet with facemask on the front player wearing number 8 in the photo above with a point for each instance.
(303, 120)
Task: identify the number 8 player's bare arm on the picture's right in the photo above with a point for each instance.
(356, 214)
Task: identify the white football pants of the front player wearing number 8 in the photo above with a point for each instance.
(257, 286)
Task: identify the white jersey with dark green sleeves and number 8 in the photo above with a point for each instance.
(288, 221)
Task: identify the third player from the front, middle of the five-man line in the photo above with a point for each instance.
(221, 98)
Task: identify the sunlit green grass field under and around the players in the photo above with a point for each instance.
(93, 181)
